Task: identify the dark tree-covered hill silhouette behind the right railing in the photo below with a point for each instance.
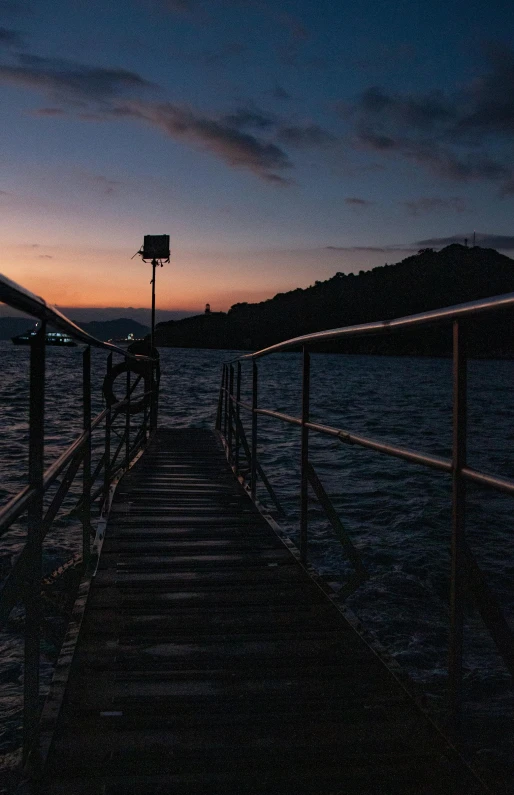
(427, 280)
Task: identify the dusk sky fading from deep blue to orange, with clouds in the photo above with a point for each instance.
(275, 142)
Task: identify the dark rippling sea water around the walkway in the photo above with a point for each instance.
(397, 514)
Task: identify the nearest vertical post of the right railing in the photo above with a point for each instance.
(457, 587)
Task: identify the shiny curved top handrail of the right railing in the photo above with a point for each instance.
(433, 316)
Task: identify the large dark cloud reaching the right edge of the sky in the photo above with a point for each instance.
(458, 135)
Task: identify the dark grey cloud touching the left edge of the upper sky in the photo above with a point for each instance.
(69, 81)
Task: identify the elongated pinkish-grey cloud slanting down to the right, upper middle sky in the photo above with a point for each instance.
(236, 148)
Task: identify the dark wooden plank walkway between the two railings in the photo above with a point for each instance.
(210, 662)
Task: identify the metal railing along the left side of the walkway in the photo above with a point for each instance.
(24, 581)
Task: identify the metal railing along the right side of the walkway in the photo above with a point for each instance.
(466, 576)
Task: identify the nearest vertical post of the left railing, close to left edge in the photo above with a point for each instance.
(34, 541)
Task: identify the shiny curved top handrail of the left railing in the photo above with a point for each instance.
(23, 300)
